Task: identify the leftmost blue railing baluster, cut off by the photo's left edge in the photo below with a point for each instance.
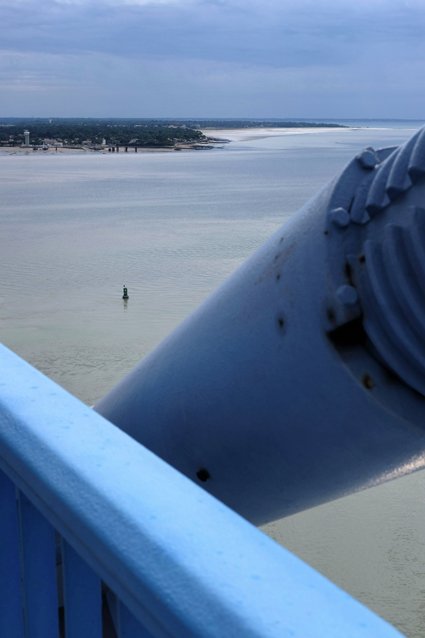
(11, 612)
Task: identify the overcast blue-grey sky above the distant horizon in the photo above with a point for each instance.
(212, 58)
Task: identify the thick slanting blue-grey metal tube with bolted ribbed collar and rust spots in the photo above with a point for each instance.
(302, 378)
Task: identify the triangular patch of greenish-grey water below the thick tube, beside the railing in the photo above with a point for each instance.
(372, 544)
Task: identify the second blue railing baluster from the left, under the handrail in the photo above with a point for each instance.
(39, 573)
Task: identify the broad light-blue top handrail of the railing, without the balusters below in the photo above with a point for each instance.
(181, 561)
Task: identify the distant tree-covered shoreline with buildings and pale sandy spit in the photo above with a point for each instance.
(116, 135)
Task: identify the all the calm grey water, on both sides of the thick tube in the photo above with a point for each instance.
(171, 226)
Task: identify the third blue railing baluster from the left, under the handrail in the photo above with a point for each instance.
(82, 596)
